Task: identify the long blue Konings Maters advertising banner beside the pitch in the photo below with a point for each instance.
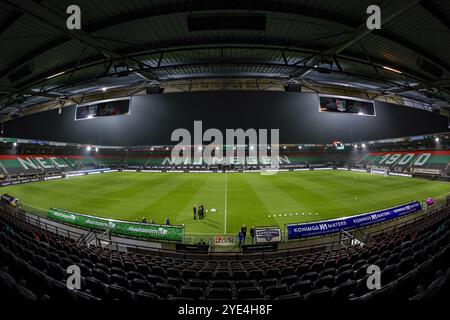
(322, 228)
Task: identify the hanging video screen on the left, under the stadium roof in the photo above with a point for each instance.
(103, 108)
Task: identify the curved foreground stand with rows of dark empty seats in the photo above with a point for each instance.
(415, 262)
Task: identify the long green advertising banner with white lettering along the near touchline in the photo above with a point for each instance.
(132, 229)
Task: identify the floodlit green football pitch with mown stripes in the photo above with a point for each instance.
(239, 198)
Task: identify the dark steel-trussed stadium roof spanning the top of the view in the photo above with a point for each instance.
(128, 46)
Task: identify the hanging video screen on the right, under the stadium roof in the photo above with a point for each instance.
(346, 105)
